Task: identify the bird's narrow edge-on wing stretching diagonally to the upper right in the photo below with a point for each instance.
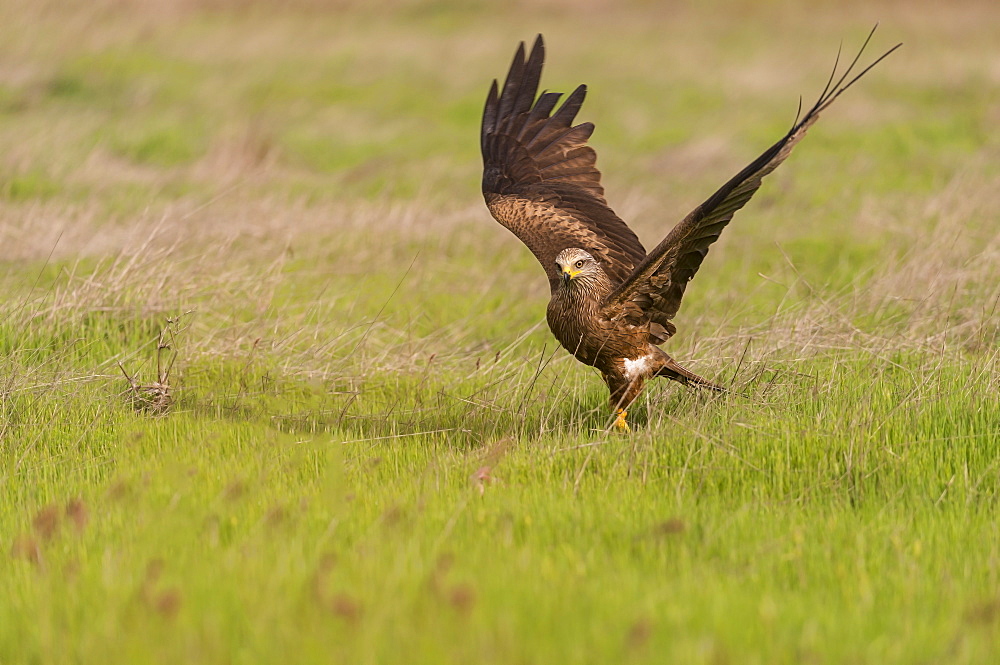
(653, 292)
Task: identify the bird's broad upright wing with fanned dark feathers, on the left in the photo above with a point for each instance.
(539, 175)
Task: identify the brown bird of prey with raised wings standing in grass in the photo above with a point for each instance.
(612, 303)
